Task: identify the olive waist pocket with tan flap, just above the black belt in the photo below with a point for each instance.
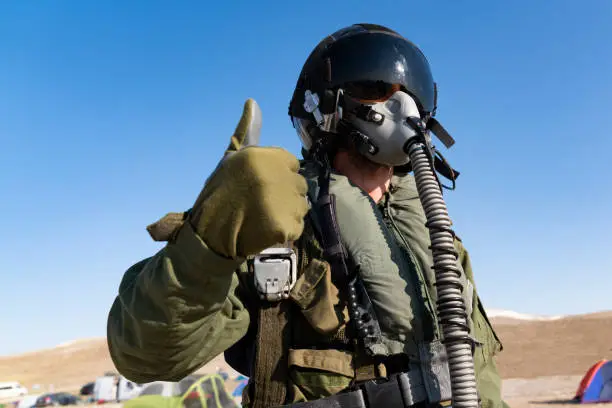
(315, 374)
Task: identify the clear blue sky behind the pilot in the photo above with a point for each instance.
(113, 113)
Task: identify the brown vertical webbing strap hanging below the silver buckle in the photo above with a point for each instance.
(271, 356)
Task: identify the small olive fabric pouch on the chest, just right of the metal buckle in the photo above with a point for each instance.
(318, 298)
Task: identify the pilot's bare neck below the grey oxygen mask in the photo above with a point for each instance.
(372, 178)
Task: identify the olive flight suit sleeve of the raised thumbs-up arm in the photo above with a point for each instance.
(175, 311)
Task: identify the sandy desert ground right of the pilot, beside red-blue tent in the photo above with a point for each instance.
(543, 361)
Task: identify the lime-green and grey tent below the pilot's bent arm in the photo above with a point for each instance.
(194, 391)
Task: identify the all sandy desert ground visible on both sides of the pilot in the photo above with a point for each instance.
(542, 362)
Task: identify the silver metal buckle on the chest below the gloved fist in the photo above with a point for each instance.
(275, 272)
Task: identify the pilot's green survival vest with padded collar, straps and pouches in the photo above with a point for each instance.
(301, 348)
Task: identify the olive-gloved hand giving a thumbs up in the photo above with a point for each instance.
(254, 199)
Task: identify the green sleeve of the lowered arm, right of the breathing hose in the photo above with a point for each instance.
(487, 376)
